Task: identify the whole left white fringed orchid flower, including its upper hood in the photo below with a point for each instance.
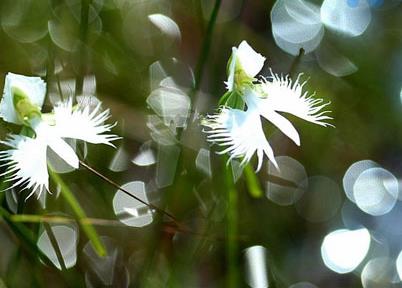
(27, 157)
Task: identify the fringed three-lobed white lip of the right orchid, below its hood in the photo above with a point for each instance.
(241, 131)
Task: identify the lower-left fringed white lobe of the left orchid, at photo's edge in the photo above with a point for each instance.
(26, 161)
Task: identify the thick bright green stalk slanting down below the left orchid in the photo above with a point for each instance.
(88, 228)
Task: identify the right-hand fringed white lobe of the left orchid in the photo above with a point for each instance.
(83, 124)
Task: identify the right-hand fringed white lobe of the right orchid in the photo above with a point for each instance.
(283, 95)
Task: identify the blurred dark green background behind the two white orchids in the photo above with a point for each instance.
(159, 66)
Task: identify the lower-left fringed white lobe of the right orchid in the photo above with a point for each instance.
(240, 132)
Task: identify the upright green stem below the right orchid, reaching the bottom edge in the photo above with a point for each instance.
(232, 231)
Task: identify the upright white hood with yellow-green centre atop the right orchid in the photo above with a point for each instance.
(244, 64)
